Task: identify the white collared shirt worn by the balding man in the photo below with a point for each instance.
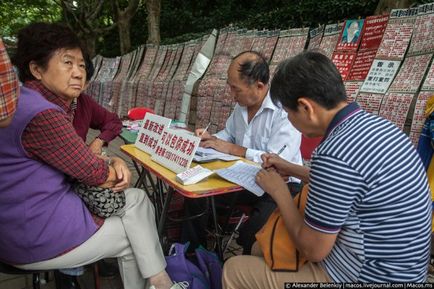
(268, 131)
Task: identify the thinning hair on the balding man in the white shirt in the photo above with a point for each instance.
(254, 69)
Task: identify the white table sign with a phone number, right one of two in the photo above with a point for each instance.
(175, 150)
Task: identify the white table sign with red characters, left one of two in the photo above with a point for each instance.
(150, 132)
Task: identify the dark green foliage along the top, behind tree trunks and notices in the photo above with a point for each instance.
(183, 20)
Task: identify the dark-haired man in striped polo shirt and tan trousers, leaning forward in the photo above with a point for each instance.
(368, 212)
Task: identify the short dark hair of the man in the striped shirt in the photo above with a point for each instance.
(309, 74)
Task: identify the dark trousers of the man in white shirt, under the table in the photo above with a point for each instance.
(195, 230)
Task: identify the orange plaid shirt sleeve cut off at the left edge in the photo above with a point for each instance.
(9, 86)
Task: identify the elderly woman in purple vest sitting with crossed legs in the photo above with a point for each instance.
(44, 223)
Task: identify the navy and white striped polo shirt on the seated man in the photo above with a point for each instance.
(368, 184)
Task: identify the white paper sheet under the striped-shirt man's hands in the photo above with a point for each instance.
(242, 174)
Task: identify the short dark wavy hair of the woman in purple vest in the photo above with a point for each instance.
(37, 42)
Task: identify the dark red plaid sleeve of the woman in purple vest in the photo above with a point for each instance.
(51, 138)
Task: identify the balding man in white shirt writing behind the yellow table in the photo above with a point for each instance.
(256, 126)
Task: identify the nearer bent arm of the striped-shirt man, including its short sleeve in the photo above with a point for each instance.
(329, 203)
